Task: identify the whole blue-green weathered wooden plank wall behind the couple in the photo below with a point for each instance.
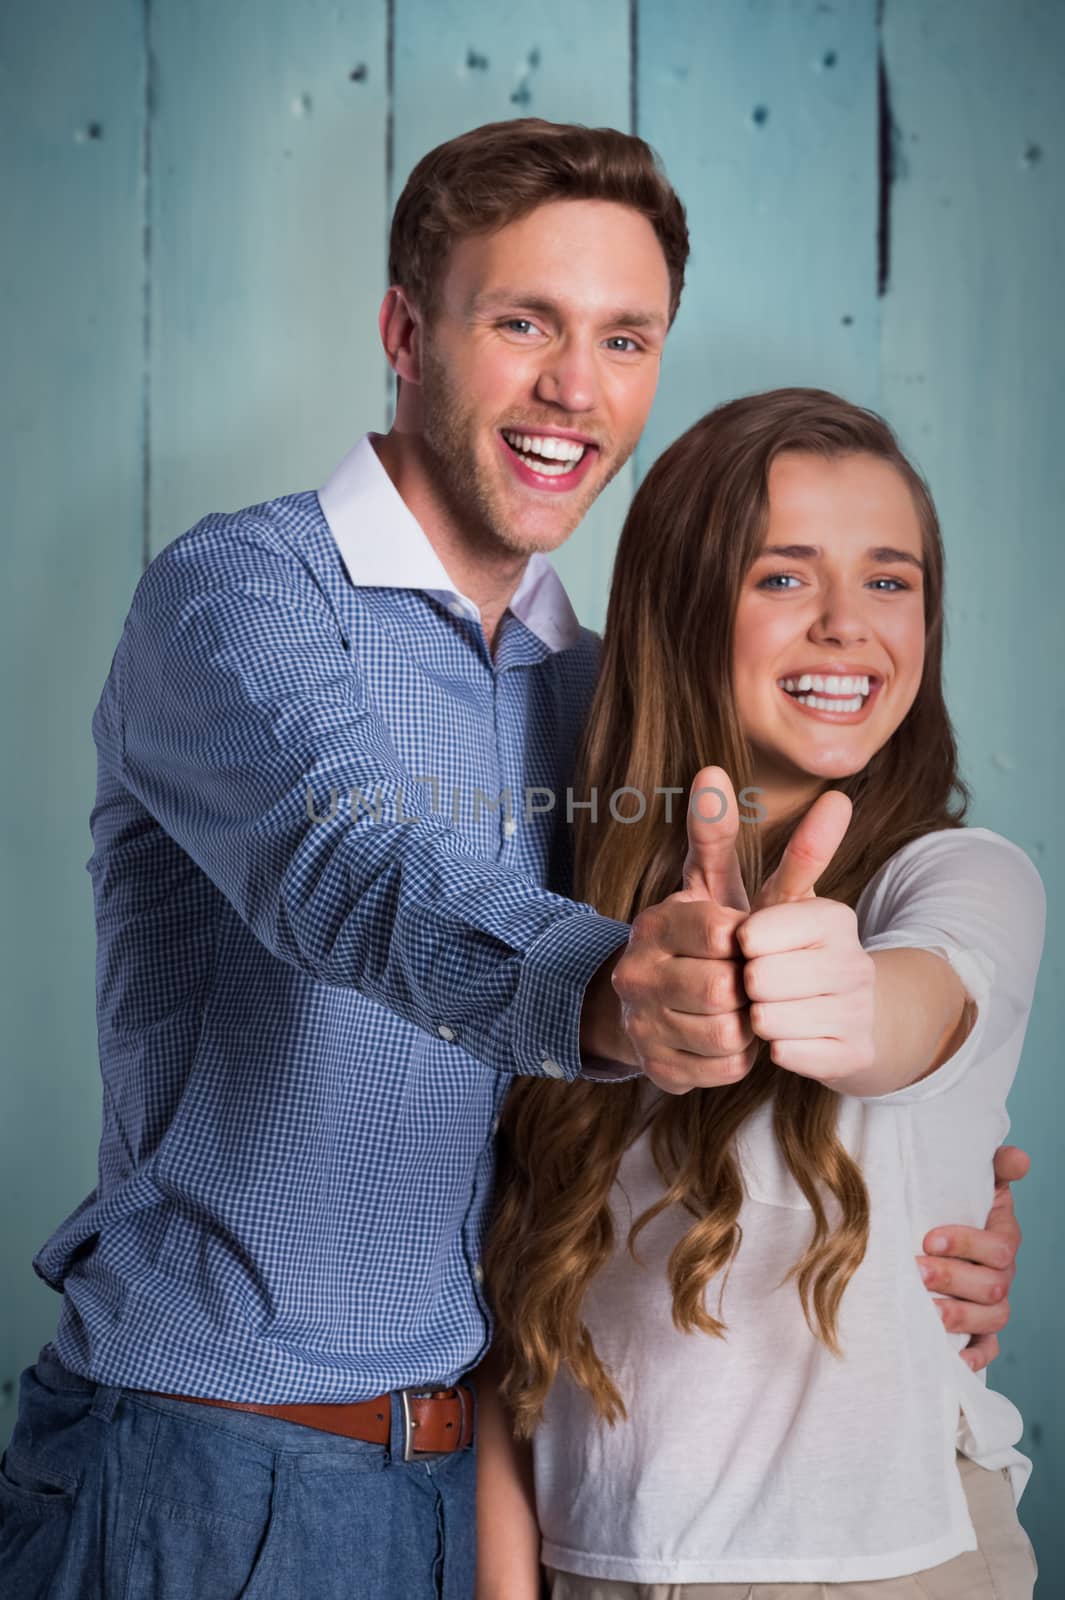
(196, 207)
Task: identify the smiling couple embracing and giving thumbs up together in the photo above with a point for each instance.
(311, 1015)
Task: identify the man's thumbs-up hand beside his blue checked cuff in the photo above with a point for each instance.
(684, 1010)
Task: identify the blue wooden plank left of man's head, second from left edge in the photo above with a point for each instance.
(268, 204)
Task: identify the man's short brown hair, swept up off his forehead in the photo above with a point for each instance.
(501, 172)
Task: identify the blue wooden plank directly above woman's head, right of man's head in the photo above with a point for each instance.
(765, 116)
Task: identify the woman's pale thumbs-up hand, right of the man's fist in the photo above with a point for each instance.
(807, 975)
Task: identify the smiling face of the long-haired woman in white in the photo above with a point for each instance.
(829, 641)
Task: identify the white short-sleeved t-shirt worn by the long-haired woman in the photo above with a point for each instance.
(765, 1458)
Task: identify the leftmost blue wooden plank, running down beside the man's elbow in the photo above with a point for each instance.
(73, 116)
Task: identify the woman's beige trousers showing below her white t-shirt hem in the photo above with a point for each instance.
(1003, 1569)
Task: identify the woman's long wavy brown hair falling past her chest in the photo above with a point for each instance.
(664, 708)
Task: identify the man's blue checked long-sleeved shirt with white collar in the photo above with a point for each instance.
(321, 838)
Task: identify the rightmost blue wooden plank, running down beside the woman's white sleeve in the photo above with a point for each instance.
(973, 359)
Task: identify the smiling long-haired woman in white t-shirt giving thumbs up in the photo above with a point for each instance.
(711, 1316)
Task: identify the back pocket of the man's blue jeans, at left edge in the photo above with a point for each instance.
(36, 1510)
